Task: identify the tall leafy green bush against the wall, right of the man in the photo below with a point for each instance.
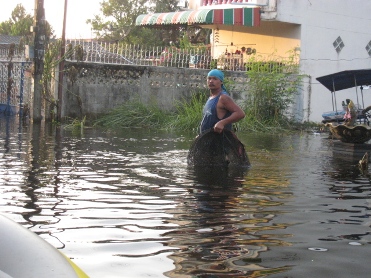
(273, 84)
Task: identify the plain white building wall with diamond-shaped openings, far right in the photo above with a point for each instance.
(321, 23)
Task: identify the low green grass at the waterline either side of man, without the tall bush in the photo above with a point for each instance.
(187, 116)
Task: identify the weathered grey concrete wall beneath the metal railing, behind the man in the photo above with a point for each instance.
(93, 89)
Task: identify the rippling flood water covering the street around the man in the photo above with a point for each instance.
(126, 204)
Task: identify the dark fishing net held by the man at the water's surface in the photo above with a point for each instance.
(217, 149)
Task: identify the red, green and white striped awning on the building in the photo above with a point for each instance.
(240, 16)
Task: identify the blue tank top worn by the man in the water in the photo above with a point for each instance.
(210, 116)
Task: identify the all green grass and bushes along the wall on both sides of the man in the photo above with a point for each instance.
(273, 85)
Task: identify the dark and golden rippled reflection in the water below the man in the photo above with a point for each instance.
(220, 235)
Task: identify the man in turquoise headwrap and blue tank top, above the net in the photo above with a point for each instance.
(220, 111)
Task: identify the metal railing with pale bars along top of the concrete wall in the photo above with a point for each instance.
(117, 53)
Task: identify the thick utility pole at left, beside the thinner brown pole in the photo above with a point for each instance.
(39, 51)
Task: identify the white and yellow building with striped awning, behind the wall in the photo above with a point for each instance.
(331, 36)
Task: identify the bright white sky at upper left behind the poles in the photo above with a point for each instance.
(78, 11)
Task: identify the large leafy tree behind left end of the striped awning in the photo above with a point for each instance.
(117, 22)
